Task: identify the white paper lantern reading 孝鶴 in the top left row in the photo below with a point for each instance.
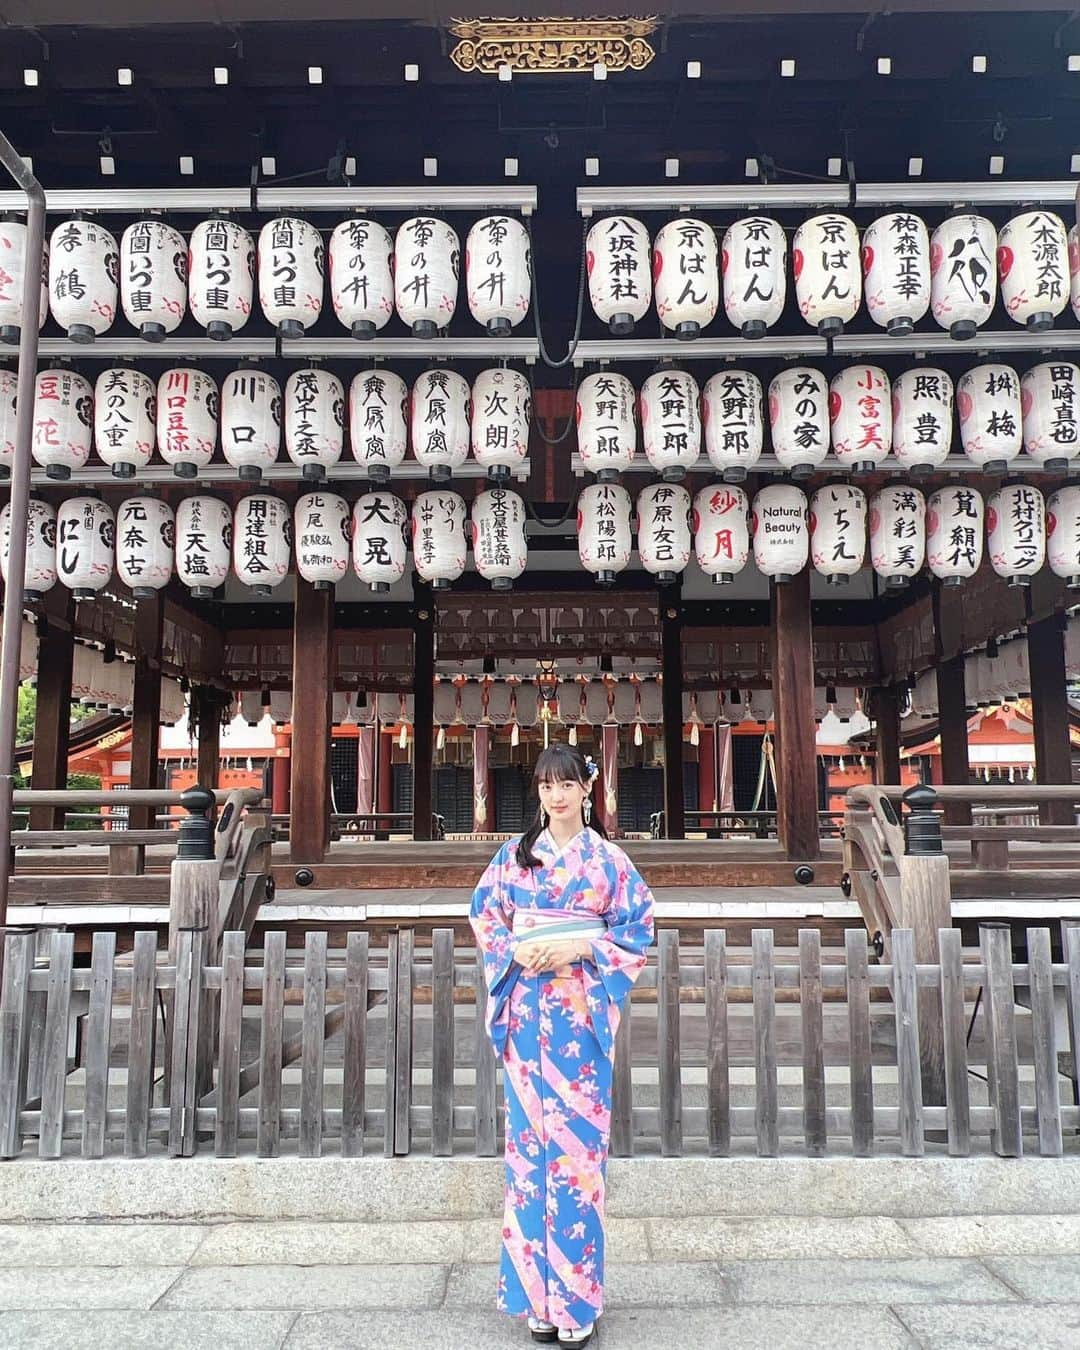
(84, 275)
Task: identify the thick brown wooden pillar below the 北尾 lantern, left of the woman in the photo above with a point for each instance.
(313, 676)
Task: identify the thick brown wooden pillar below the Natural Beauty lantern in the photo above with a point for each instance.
(793, 700)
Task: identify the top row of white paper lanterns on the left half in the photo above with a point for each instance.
(156, 276)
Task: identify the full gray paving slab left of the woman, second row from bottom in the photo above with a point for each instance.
(310, 1289)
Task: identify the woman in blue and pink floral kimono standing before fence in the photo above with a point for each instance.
(564, 921)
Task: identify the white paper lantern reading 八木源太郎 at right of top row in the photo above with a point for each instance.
(1033, 269)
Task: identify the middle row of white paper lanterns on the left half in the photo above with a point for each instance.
(126, 416)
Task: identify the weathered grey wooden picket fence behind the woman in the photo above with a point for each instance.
(719, 1051)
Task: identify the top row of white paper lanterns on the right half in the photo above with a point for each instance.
(900, 267)
